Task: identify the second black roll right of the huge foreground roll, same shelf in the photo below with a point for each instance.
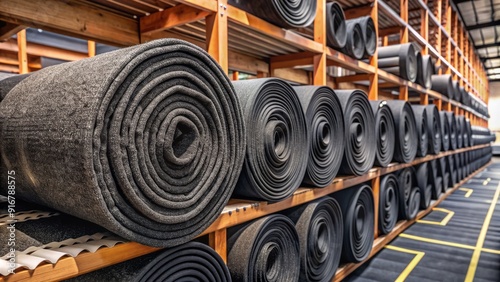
(325, 123)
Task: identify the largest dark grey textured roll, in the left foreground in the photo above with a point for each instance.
(147, 141)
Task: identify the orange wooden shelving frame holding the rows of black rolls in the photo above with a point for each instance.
(243, 43)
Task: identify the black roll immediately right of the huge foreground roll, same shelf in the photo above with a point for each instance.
(275, 163)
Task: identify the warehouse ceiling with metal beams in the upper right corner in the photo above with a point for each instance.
(482, 20)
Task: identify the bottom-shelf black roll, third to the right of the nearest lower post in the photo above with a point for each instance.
(357, 209)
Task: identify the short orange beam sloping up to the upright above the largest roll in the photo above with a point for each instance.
(172, 17)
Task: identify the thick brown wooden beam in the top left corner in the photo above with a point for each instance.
(74, 18)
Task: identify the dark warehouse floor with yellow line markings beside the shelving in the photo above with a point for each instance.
(458, 241)
